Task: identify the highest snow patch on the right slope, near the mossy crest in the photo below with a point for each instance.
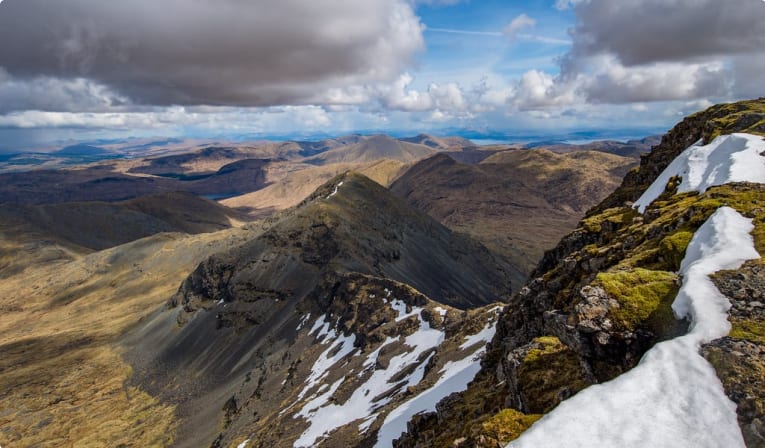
(728, 158)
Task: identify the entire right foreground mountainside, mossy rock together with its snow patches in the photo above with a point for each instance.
(606, 295)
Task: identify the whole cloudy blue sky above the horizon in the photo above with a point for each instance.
(74, 70)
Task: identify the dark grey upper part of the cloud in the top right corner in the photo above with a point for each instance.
(646, 31)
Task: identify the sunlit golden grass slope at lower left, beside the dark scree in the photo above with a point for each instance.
(63, 381)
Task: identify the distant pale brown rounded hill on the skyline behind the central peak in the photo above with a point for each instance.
(372, 148)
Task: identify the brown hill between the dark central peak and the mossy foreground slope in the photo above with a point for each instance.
(517, 202)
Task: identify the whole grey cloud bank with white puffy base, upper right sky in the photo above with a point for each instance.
(657, 50)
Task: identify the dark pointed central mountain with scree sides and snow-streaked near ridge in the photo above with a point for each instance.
(341, 311)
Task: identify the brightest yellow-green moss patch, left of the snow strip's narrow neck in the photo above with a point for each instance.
(644, 296)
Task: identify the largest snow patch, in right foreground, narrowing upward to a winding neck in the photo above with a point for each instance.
(673, 397)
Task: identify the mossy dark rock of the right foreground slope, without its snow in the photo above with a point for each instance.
(602, 297)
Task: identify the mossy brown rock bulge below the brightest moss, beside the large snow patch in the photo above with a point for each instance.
(549, 373)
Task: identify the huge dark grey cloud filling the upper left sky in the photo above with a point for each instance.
(222, 52)
